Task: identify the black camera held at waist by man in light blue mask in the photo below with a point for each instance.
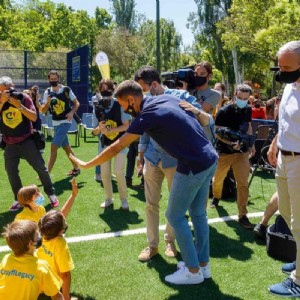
(243, 138)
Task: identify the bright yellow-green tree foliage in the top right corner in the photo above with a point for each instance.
(260, 27)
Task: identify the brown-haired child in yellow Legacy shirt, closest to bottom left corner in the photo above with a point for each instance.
(22, 275)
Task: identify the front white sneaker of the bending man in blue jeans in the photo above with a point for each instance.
(184, 276)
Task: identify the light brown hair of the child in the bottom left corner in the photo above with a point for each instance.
(18, 235)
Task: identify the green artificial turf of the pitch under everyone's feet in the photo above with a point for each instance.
(109, 268)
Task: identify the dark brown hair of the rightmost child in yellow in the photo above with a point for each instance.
(51, 224)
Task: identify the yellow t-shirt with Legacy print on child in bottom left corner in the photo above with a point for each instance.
(25, 277)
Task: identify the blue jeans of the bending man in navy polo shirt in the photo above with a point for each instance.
(190, 192)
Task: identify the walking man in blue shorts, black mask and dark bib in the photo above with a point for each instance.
(59, 99)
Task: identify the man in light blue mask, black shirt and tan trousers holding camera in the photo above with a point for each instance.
(235, 145)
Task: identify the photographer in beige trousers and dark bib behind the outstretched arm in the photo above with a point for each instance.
(112, 123)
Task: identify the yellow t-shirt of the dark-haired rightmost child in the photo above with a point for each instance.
(57, 253)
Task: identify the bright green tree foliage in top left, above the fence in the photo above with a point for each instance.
(39, 25)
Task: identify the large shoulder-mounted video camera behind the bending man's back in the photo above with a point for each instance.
(186, 74)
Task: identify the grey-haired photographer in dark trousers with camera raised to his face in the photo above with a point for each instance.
(17, 114)
